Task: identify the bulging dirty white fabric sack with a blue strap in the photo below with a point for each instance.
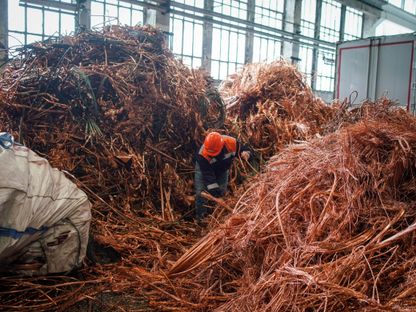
(43, 215)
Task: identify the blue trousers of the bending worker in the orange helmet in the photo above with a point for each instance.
(200, 208)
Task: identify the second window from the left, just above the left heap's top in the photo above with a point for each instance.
(108, 12)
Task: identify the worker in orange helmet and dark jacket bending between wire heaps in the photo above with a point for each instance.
(213, 162)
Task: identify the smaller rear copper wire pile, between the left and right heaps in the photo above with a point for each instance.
(269, 105)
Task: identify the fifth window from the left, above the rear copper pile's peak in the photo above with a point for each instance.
(268, 13)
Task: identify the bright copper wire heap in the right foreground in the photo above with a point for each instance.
(330, 225)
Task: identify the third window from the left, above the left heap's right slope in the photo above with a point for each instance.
(187, 34)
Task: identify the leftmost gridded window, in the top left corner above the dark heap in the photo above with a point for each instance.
(36, 23)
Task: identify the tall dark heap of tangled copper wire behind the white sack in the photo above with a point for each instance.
(116, 110)
